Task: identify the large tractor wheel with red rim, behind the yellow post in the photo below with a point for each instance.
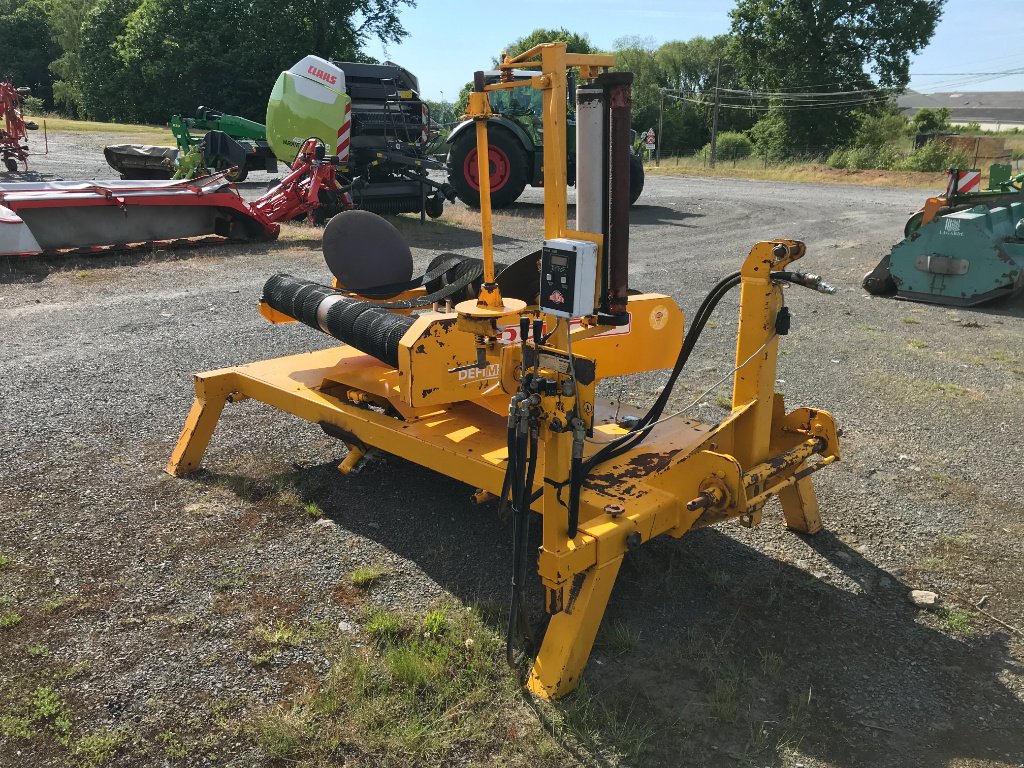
(508, 168)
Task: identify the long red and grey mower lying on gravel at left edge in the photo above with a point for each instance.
(49, 218)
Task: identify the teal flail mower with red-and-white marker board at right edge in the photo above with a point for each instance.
(964, 249)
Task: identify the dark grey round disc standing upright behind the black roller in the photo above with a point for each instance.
(363, 250)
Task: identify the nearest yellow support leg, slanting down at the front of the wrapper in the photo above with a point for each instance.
(571, 635)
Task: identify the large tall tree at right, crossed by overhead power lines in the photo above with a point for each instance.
(826, 46)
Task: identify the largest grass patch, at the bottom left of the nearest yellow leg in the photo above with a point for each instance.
(431, 691)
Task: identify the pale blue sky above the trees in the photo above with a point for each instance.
(450, 39)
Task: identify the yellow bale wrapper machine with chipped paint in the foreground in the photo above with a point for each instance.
(498, 391)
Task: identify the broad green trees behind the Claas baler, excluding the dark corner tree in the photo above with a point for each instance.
(146, 60)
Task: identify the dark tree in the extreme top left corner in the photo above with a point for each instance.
(26, 50)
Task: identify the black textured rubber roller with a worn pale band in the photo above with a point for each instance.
(365, 326)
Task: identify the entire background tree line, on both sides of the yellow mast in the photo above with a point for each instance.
(789, 74)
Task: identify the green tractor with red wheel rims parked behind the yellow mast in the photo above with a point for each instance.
(516, 147)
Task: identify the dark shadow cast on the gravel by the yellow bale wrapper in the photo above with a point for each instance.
(715, 654)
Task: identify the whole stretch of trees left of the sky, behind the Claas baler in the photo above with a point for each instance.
(143, 61)
